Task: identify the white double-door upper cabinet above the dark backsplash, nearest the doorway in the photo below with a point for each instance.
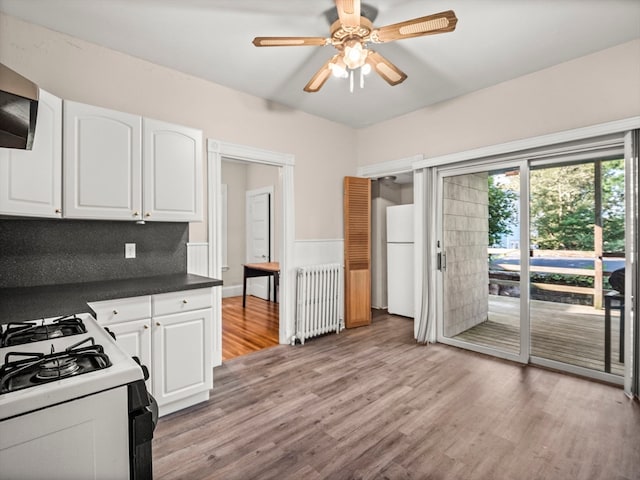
(113, 170)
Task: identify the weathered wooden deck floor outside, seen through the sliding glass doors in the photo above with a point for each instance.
(571, 334)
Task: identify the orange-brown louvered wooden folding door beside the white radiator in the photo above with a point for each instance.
(357, 251)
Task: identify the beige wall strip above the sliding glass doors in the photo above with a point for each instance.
(593, 89)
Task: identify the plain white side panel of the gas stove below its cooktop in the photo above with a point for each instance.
(82, 439)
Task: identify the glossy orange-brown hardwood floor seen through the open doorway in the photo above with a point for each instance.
(246, 330)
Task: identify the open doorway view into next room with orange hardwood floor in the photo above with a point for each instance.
(250, 319)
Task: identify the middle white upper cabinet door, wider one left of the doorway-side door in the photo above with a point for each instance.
(102, 163)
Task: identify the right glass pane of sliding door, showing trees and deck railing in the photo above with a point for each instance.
(577, 219)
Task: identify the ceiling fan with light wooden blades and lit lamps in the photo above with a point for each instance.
(350, 35)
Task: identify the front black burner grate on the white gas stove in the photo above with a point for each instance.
(23, 369)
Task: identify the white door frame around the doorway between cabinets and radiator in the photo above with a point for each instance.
(216, 151)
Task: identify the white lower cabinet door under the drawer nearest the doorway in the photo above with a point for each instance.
(182, 355)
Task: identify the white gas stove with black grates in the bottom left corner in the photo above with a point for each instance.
(66, 382)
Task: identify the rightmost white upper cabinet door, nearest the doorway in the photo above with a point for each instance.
(172, 172)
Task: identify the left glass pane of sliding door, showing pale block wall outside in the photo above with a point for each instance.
(479, 251)
